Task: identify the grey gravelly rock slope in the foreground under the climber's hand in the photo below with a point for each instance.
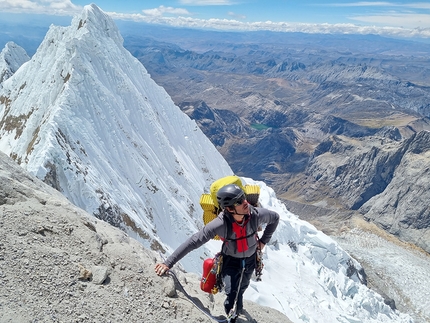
(59, 264)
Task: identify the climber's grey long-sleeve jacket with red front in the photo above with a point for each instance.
(243, 247)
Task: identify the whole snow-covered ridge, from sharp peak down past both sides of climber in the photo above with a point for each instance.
(85, 116)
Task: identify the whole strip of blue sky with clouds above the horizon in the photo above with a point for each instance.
(392, 17)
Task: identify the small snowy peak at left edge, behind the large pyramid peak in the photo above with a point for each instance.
(11, 58)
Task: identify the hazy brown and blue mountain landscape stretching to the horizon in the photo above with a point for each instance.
(329, 121)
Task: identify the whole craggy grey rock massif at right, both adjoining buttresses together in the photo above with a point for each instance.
(387, 181)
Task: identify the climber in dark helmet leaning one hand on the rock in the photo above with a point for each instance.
(237, 226)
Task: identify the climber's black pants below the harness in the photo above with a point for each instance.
(231, 272)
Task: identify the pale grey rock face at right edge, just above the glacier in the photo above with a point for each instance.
(402, 208)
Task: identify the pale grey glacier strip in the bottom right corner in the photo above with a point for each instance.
(402, 269)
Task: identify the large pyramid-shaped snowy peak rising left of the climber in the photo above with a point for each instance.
(85, 116)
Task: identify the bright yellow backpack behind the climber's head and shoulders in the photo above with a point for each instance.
(209, 202)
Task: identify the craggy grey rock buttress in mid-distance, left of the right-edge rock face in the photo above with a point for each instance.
(352, 171)
